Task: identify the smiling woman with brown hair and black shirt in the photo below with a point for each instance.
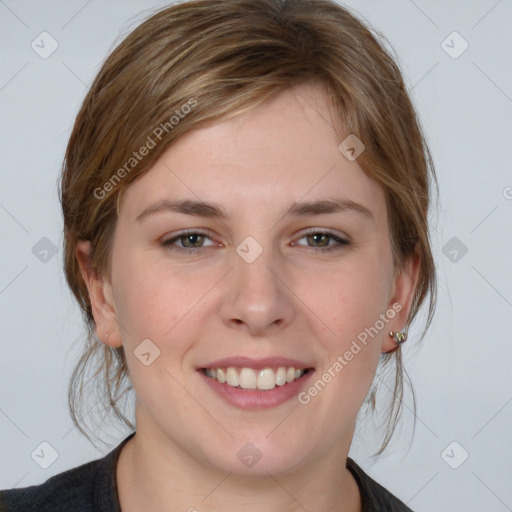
(245, 197)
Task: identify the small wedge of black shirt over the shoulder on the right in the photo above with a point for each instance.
(374, 497)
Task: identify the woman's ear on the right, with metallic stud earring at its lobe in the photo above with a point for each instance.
(402, 293)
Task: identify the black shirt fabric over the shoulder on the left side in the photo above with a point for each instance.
(86, 488)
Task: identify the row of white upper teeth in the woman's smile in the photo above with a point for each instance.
(248, 378)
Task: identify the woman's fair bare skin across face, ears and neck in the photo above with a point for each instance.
(295, 300)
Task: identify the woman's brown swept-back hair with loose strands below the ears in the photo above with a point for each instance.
(203, 61)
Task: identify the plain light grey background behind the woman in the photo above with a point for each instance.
(461, 373)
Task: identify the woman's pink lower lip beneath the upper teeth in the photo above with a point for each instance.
(254, 399)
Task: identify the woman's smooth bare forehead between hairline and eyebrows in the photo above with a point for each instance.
(282, 151)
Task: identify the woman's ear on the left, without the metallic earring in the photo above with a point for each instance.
(101, 297)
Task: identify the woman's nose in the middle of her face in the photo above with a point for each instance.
(257, 299)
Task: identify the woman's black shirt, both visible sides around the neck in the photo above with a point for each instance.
(92, 487)
